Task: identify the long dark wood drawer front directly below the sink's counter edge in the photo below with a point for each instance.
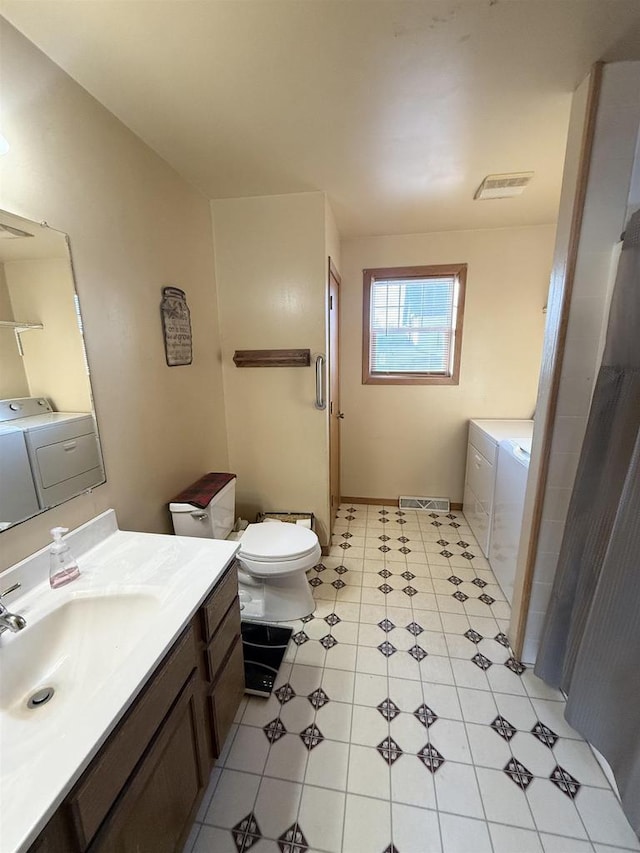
(93, 797)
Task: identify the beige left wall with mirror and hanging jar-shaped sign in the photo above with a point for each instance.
(135, 226)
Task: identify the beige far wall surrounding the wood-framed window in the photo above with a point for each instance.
(411, 439)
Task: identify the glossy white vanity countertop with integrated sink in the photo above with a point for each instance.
(136, 594)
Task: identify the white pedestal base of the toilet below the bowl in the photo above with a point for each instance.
(281, 599)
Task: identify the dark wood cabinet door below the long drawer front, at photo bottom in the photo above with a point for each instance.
(154, 808)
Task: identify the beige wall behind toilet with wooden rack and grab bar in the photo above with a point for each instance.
(271, 269)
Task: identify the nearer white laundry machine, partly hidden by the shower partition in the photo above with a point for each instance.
(508, 507)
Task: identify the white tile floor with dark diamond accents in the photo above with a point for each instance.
(401, 722)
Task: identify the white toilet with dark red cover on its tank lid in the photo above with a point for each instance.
(273, 556)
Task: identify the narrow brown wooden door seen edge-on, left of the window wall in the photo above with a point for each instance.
(335, 415)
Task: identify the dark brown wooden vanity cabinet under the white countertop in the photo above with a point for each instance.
(141, 791)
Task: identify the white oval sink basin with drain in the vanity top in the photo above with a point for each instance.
(53, 651)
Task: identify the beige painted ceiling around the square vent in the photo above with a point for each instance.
(396, 109)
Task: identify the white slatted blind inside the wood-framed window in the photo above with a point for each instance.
(412, 325)
